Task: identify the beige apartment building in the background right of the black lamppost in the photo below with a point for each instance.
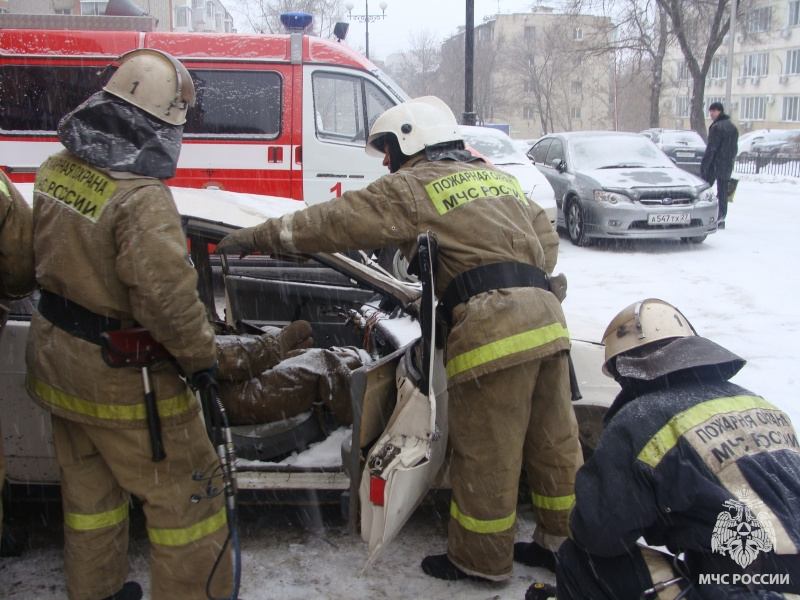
(543, 78)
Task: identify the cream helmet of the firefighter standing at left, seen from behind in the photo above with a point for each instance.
(155, 82)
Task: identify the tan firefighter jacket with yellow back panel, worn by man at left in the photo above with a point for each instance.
(112, 242)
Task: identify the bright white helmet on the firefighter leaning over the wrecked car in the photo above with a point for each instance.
(418, 123)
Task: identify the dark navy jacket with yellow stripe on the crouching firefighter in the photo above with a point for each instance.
(670, 458)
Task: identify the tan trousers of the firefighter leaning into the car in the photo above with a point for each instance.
(500, 422)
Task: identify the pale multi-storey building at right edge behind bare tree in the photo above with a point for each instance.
(765, 74)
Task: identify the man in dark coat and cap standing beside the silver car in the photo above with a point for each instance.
(717, 165)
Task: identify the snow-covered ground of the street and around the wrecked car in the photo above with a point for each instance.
(740, 288)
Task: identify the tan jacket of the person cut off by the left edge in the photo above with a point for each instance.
(16, 242)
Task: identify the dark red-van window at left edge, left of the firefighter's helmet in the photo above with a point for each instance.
(34, 98)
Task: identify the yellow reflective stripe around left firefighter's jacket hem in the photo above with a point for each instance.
(166, 408)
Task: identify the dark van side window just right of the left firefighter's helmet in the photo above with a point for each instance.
(235, 103)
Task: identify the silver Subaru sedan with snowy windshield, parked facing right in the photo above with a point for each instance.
(621, 185)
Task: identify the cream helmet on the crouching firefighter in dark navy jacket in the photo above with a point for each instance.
(643, 323)
